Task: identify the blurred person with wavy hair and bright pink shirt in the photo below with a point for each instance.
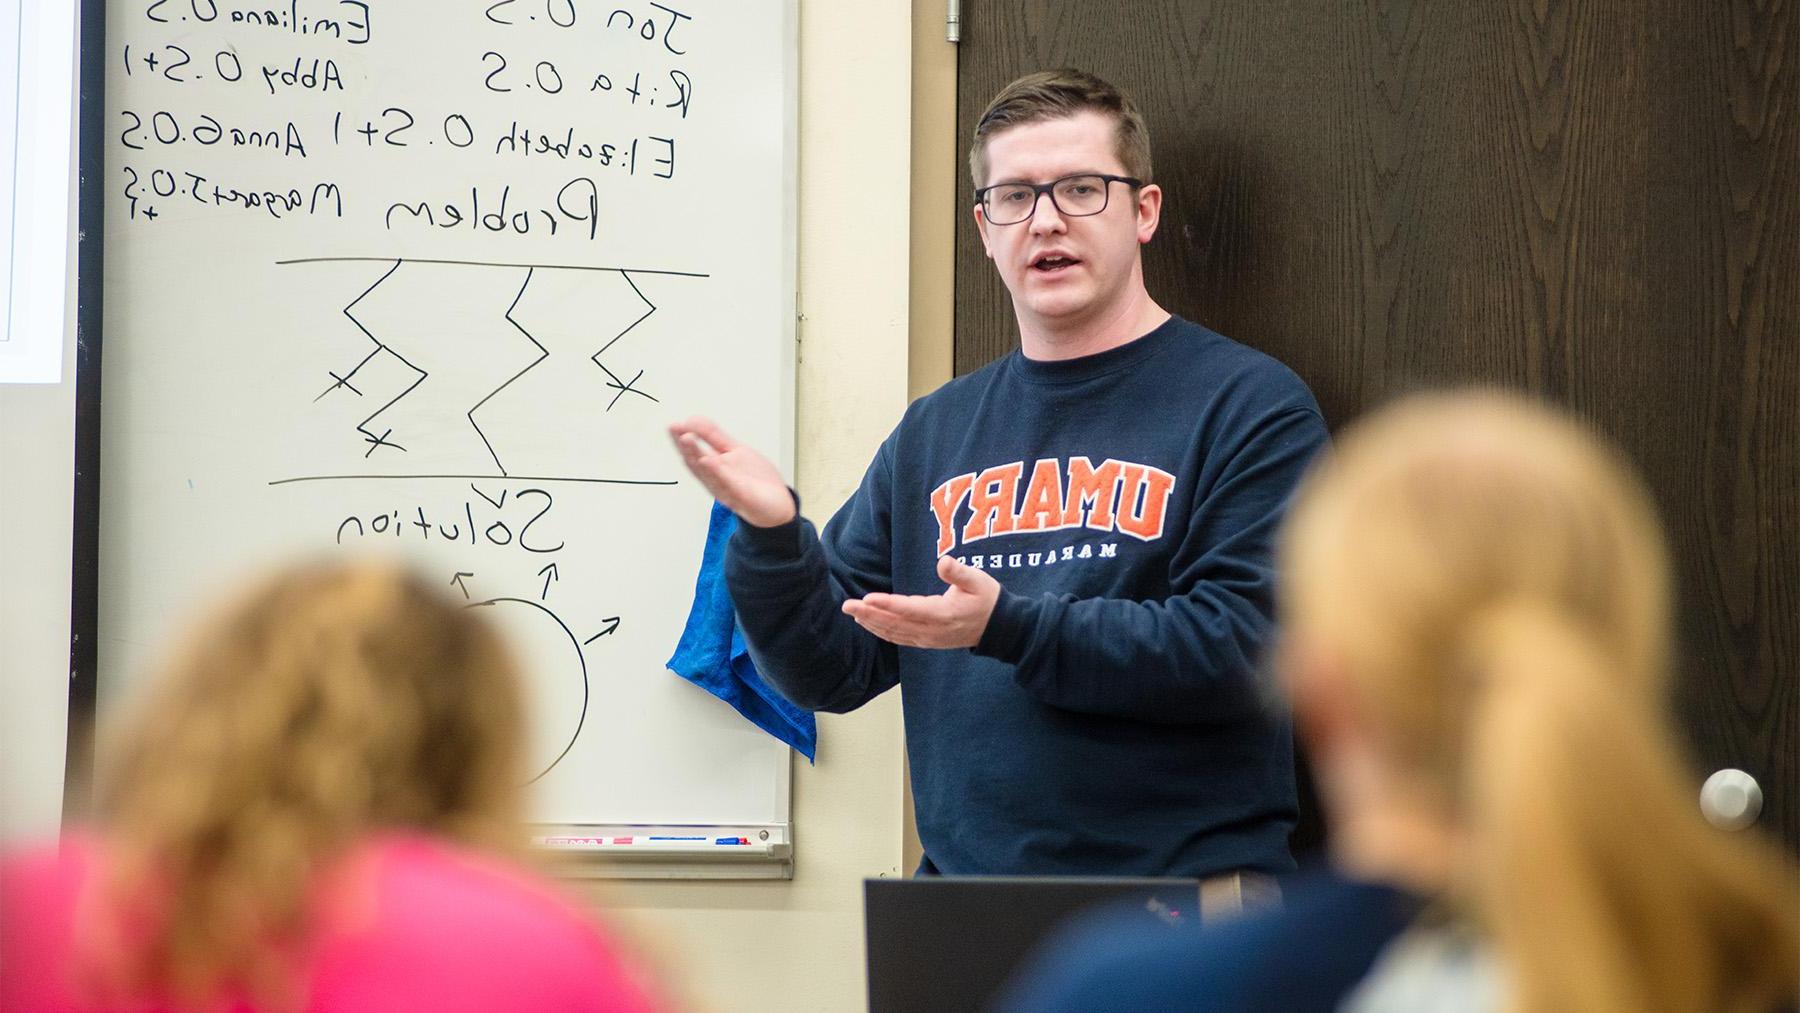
(316, 809)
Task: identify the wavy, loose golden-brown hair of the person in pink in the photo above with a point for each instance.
(332, 703)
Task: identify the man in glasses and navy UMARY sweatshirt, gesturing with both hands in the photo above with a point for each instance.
(1065, 557)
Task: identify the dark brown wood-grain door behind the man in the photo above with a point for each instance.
(1594, 201)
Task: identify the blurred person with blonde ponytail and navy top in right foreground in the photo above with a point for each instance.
(1477, 650)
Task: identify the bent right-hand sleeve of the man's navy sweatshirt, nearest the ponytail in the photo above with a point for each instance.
(1191, 658)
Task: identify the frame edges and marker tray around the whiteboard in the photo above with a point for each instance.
(773, 857)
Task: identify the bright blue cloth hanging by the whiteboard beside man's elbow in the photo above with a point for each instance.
(714, 658)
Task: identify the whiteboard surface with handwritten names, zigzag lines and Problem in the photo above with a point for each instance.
(431, 278)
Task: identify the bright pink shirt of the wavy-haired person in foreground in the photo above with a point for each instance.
(404, 924)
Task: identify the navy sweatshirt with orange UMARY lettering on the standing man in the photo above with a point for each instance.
(1111, 721)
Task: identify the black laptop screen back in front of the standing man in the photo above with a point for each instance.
(953, 944)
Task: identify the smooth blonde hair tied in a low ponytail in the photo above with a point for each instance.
(1495, 587)
